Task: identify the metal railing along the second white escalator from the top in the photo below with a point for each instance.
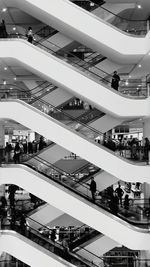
(94, 72)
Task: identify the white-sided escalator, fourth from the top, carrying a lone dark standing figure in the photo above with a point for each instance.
(100, 217)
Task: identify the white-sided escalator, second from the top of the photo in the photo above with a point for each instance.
(91, 91)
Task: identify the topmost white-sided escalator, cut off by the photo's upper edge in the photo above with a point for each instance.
(120, 48)
